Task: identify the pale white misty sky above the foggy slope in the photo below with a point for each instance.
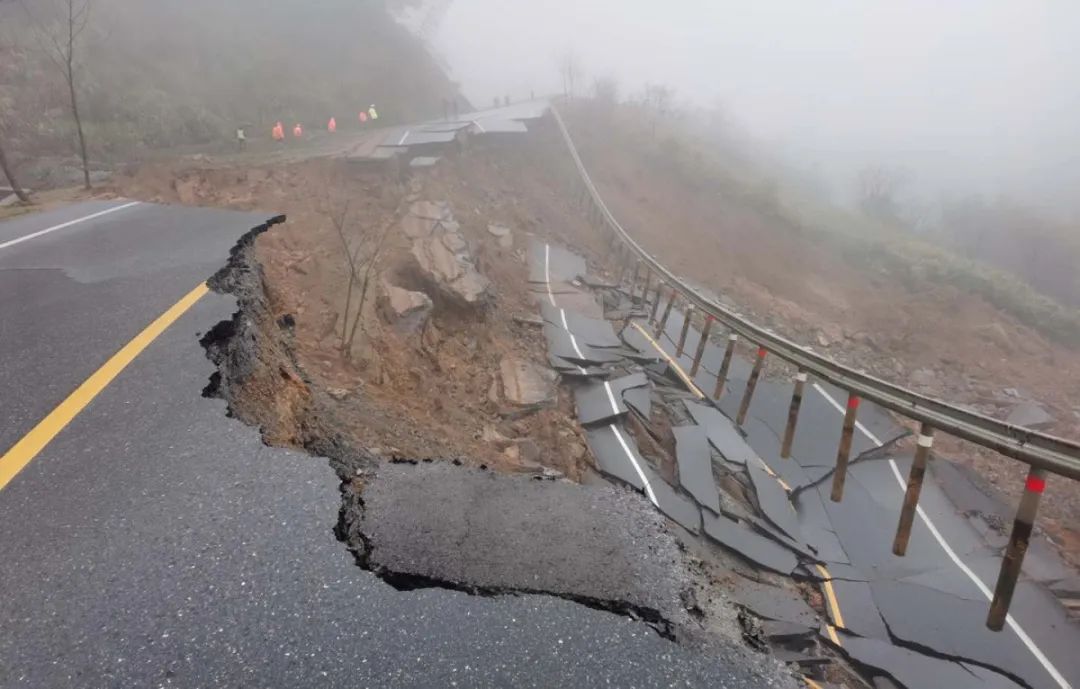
(965, 94)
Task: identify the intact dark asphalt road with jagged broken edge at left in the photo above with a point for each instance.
(154, 542)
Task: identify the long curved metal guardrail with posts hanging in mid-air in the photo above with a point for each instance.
(1042, 452)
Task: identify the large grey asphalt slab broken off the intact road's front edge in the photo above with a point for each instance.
(445, 526)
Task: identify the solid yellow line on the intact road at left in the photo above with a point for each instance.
(29, 448)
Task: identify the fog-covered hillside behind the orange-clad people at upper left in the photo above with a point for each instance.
(167, 75)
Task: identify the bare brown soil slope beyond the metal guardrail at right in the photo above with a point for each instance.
(931, 337)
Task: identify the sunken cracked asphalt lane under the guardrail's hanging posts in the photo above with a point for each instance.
(938, 596)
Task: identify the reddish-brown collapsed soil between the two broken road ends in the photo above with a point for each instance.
(423, 395)
